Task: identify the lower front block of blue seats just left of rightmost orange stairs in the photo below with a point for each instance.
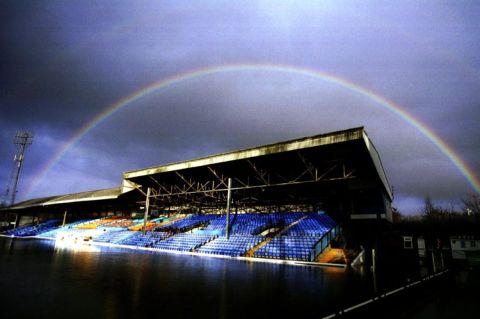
(236, 245)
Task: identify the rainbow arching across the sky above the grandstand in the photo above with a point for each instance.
(448, 151)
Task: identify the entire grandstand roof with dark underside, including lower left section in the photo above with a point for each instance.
(306, 170)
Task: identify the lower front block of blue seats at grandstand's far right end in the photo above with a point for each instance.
(287, 247)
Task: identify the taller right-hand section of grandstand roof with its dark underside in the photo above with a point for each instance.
(292, 168)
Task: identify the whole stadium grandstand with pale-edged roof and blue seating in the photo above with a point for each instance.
(287, 201)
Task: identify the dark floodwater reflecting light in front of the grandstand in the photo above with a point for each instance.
(40, 280)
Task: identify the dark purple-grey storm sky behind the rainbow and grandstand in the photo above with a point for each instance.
(64, 62)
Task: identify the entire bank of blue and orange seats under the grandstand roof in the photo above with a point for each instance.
(298, 236)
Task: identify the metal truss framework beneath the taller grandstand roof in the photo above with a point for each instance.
(254, 182)
